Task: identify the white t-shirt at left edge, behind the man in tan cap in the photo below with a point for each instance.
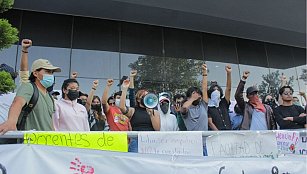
(6, 101)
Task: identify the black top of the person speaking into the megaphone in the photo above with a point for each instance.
(140, 121)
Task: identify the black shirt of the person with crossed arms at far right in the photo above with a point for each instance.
(294, 111)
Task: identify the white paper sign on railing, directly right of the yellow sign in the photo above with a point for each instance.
(171, 143)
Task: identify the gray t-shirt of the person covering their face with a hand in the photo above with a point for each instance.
(196, 119)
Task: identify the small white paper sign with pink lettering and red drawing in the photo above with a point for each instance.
(287, 141)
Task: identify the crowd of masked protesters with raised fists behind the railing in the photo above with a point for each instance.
(200, 109)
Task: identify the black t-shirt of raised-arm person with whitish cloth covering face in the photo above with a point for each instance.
(220, 116)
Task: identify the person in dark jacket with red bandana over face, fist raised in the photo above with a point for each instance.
(256, 115)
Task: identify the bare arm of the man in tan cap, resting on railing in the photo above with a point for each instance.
(14, 113)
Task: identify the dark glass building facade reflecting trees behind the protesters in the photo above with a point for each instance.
(167, 59)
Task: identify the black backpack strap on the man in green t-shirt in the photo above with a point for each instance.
(27, 108)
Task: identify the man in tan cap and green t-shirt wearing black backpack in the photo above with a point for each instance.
(40, 116)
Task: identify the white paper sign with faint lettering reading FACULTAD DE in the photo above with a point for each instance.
(251, 144)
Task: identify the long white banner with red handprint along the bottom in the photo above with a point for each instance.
(37, 159)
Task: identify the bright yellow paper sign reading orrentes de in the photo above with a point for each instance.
(112, 141)
